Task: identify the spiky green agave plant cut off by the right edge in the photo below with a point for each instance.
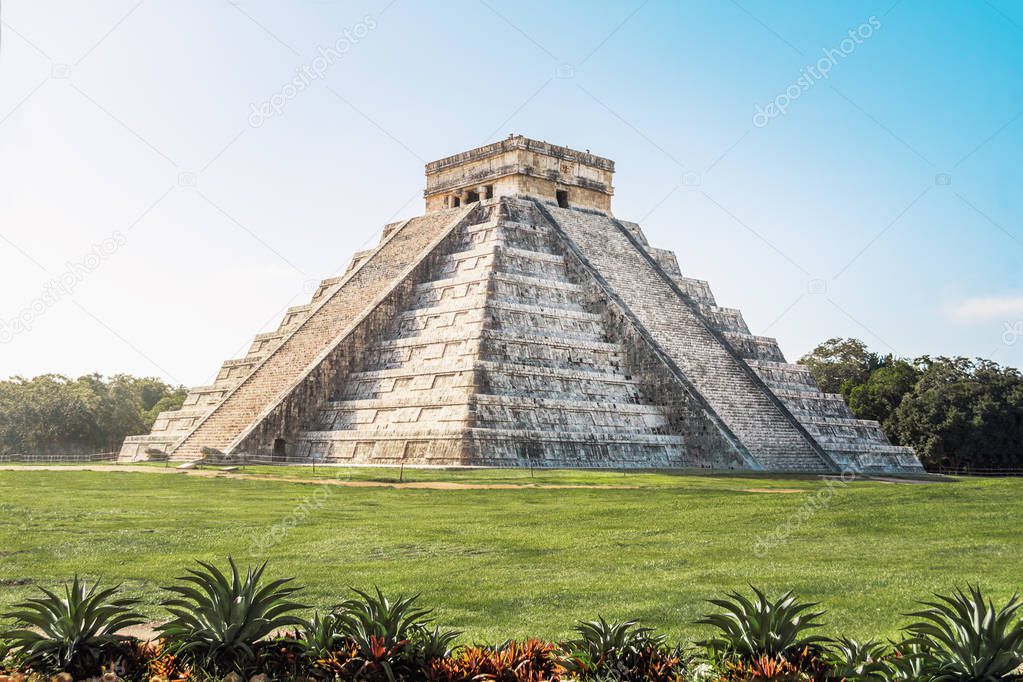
(964, 638)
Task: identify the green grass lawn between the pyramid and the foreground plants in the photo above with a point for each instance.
(506, 563)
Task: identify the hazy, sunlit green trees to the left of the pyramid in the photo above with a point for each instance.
(54, 415)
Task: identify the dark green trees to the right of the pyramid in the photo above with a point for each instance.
(957, 414)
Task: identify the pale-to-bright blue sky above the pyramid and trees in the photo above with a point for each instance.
(883, 204)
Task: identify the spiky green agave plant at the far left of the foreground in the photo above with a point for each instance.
(75, 633)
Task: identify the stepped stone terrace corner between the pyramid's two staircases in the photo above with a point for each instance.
(497, 361)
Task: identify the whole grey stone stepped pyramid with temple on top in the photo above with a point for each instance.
(519, 324)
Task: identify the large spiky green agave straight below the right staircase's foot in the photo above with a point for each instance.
(761, 627)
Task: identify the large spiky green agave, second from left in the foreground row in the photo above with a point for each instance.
(218, 620)
